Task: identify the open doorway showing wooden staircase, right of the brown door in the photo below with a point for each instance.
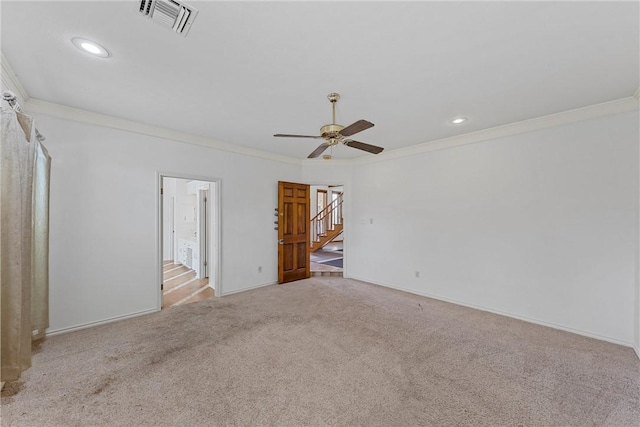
(327, 236)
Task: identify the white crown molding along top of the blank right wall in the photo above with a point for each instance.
(572, 116)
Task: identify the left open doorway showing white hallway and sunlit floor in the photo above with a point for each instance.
(189, 239)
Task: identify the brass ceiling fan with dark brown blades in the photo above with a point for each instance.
(334, 134)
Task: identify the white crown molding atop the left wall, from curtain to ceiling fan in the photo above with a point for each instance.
(34, 105)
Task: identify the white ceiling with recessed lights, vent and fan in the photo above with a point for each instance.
(248, 70)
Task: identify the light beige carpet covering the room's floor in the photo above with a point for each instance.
(325, 351)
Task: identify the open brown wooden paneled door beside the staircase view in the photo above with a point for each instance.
(293, 231)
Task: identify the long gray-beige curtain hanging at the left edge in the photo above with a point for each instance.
(23, 242)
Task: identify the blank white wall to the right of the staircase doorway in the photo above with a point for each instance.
(541, 226)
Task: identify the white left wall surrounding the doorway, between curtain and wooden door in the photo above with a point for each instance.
(104, 257)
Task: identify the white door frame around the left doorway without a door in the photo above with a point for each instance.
(215, 241)
